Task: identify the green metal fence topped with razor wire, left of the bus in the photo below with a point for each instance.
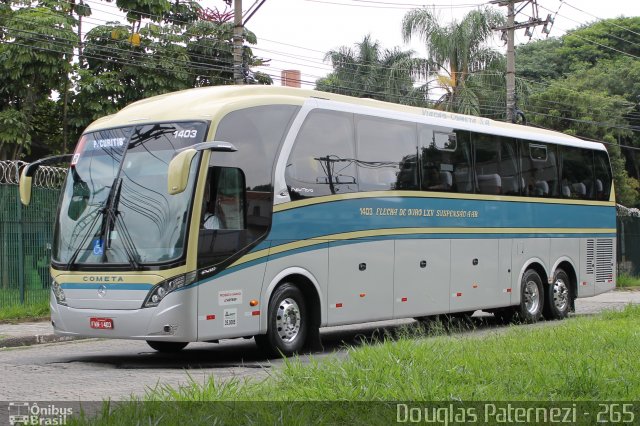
(26, 234)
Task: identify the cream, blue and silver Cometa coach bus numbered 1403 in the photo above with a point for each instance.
(270, 212)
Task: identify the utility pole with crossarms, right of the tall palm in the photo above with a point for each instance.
(508, 33)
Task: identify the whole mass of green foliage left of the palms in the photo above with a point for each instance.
(48, 96)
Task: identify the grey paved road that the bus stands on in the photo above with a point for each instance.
(90, 370)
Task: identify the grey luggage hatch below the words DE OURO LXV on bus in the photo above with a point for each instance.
(421, 277)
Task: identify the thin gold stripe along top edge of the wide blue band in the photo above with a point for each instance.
(428, 194)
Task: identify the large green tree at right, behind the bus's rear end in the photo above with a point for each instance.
(587, 84)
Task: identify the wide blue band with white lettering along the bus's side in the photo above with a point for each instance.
(346, 216)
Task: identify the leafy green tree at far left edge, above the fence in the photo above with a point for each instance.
(35, 55)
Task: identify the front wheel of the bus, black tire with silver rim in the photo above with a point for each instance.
(287, 322)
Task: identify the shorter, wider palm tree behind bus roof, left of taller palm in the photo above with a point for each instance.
(368, 71)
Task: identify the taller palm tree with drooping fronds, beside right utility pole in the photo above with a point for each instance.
(458, 51)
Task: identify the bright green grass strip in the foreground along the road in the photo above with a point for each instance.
(579, 359)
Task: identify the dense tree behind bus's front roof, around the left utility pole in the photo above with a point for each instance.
(166, 47)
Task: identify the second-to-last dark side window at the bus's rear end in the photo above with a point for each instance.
(576, 170)
